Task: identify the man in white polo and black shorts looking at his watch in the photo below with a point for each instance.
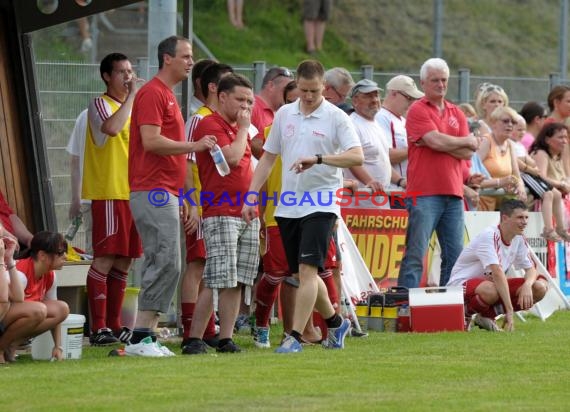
(315, 139)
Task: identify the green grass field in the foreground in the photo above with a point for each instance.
(478, 371)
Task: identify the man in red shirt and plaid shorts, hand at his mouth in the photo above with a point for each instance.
(232, 245)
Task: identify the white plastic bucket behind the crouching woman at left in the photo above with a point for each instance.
(71, 340)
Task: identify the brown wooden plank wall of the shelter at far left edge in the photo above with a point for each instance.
(14, 183)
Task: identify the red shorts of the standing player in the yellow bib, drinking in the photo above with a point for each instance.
(114, 231)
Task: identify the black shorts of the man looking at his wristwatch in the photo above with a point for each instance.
(306, 239)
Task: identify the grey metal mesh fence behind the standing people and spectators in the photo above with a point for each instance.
(65, 89)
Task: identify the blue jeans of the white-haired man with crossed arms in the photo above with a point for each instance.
(444, 214)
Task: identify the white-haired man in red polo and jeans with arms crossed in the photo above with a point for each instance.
(438, 144)
